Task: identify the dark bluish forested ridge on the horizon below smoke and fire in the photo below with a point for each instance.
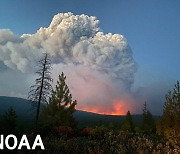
(23, 108)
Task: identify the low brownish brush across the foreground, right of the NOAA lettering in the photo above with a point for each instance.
(111, 143)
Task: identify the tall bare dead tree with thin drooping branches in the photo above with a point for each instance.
(42, 89)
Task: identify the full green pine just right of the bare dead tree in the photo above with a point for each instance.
(59, 111)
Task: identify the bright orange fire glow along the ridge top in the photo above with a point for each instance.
(118, 108)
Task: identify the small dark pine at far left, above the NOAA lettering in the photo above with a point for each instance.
(10, 121)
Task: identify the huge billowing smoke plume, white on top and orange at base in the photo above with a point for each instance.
(99, 67)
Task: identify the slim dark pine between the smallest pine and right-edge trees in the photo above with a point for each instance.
(148, 123)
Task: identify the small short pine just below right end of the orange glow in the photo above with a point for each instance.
(128, 123)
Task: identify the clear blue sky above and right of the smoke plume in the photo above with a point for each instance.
(152, 29)
